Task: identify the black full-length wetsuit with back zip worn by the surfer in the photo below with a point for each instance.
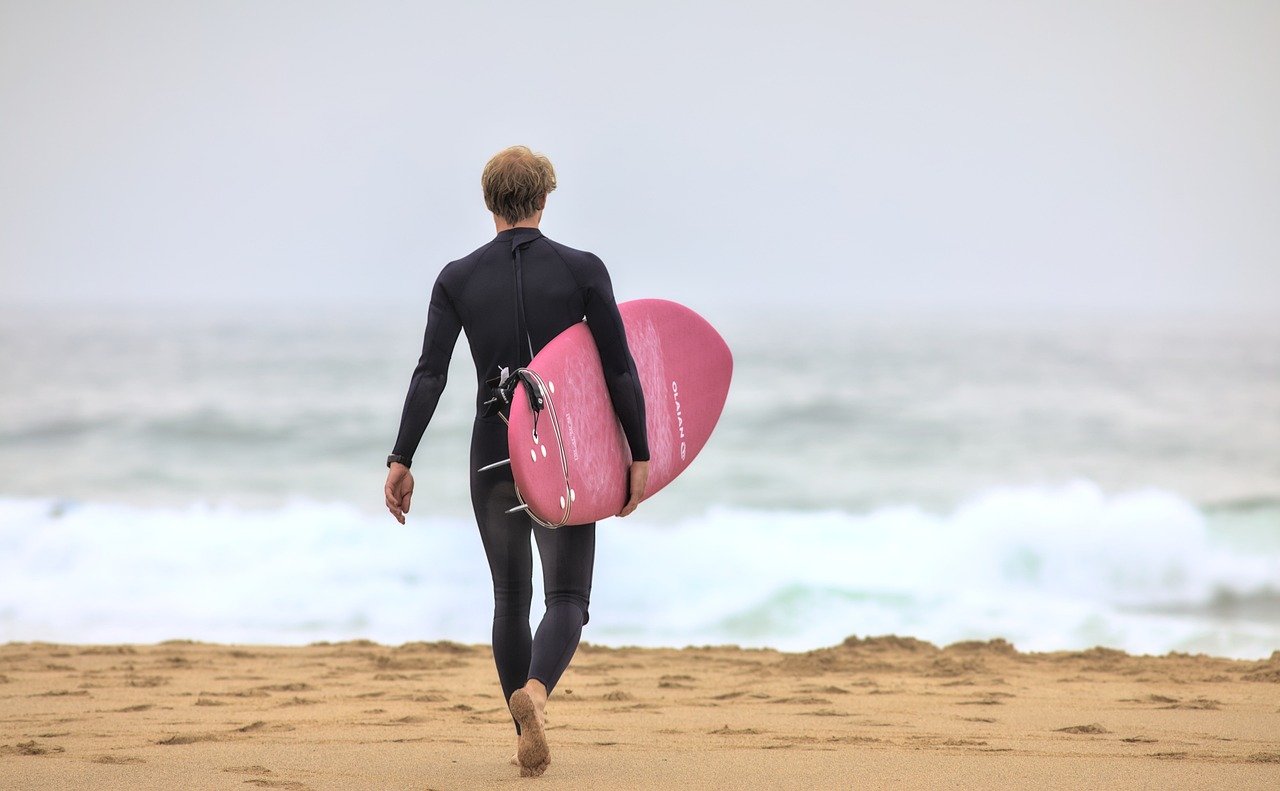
(478, 295)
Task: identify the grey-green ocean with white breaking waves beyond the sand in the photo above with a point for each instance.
(1060, 482)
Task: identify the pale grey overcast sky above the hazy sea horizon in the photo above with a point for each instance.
(880, 156)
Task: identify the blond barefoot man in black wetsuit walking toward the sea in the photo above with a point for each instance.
(513, 296)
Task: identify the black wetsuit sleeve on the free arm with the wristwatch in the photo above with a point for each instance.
(432, 372)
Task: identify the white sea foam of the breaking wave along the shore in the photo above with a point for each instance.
(1049, 569)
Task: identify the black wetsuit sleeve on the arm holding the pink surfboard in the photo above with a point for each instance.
(620, 369)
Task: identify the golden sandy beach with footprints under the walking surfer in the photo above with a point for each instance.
(871, 714)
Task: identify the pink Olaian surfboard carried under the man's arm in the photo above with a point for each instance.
(572, 460)
